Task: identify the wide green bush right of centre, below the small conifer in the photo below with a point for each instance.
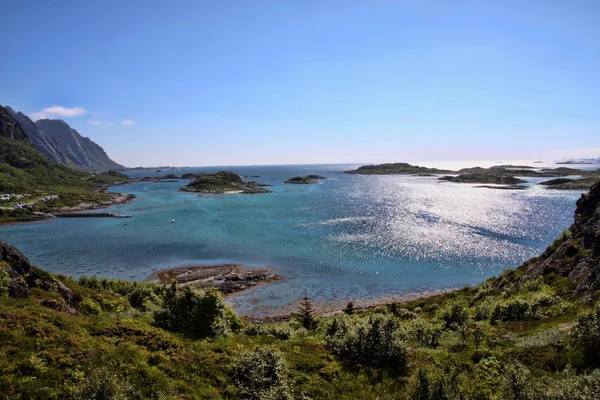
(373, 341)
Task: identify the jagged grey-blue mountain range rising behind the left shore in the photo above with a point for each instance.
(57, 140)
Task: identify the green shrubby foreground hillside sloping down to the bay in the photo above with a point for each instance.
(532, 333)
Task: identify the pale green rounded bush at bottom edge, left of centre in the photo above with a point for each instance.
(261, 374)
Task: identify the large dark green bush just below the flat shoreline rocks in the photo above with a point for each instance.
(195, 313)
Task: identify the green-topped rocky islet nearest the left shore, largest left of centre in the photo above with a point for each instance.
(223, 182)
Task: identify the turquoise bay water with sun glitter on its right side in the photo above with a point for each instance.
(347, 237)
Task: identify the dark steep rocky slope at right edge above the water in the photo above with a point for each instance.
(576, 254)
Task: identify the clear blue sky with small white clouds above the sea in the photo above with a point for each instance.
(310, 81)
